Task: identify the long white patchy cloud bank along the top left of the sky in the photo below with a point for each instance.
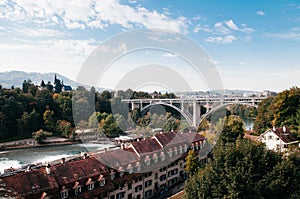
(80, 14)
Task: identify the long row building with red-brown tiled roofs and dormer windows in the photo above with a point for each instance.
(143, 169)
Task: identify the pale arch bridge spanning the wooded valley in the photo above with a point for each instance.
(193, 117)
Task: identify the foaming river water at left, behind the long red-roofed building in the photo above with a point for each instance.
(21, 157)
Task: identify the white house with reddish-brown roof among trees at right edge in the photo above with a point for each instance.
(278, 139)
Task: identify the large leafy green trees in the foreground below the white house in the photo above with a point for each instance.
(241, 168)
